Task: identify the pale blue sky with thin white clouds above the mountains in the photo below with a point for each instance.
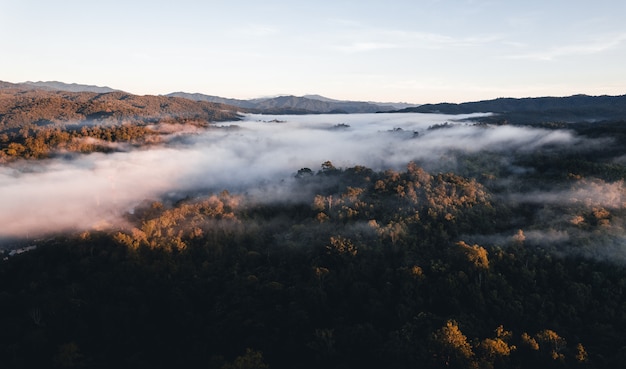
(416, 51)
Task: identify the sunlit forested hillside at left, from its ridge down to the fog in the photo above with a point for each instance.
(35, 122)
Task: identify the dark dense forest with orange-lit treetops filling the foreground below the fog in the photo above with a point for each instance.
(364, 268)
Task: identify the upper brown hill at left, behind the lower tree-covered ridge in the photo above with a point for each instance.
(24, 104)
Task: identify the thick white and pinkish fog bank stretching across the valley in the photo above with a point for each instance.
(87, 191)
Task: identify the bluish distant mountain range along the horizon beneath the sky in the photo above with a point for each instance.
(577, 108)
